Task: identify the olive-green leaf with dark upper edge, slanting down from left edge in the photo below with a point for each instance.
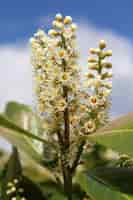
(16, 135)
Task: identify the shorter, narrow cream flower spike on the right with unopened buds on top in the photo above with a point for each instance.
(99, 83)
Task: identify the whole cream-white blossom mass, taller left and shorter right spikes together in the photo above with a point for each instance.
(54, 60)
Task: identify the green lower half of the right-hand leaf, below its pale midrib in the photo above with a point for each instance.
(118, 140)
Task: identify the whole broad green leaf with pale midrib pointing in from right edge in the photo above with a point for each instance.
(117, 135)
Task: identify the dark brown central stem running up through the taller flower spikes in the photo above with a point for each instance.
(64, 139)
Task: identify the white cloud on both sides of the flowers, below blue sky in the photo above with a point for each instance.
(16, 73)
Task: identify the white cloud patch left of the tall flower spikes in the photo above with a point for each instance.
(15, 75)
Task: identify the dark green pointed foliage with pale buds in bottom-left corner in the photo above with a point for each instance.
(23, 187)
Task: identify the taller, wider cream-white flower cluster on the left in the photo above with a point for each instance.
(55, 68)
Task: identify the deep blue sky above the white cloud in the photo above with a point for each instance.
(19, 19)
